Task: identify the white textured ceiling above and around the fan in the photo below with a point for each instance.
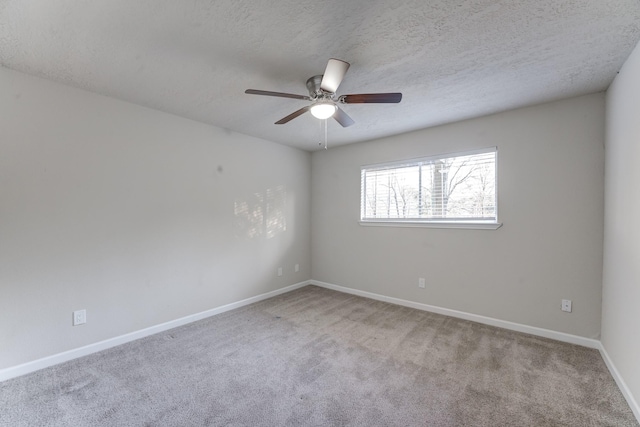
(451, 59)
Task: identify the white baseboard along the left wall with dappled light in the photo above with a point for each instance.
(25, 368)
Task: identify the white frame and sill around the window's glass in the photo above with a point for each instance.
(463, 223)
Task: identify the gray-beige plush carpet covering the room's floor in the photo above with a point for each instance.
(319, 357)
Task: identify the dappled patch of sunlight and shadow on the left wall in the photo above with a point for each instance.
(262, 215)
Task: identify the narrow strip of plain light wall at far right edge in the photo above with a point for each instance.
(621, 276)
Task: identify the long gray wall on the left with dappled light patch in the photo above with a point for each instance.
(138, 216)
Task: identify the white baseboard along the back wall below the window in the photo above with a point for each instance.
(518, 327)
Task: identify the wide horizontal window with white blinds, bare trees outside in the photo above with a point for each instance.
(441, 190)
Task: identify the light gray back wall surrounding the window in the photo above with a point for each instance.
(551, 178)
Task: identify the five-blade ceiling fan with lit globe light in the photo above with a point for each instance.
(322, 93)
